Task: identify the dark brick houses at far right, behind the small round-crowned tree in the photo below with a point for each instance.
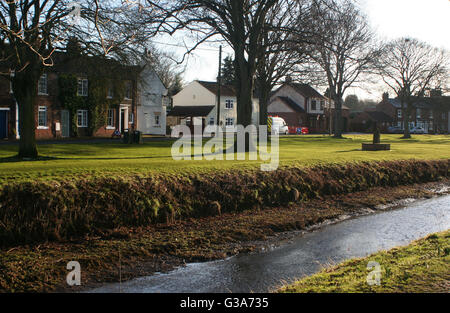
(431, 112)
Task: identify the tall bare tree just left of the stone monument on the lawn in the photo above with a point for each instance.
(341, 48)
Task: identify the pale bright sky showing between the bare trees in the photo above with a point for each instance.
(426, 20)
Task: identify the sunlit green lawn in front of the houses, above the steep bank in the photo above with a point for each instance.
(75, 160)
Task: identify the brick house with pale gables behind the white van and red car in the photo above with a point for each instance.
(300, 105)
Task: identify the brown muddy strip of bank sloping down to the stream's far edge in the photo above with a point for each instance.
(130, 252)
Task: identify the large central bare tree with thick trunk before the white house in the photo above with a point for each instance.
(240, 23)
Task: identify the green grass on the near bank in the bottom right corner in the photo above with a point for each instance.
(423, 266)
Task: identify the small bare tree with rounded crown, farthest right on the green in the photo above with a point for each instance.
(409, 67)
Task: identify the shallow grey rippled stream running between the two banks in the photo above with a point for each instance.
(304, 255)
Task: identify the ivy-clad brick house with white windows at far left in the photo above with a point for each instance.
(54, 119)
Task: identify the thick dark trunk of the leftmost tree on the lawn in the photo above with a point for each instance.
(25, 92)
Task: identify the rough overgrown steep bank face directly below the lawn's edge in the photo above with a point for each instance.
(37, 212)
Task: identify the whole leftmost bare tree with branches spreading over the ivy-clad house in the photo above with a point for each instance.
(32, 30)
